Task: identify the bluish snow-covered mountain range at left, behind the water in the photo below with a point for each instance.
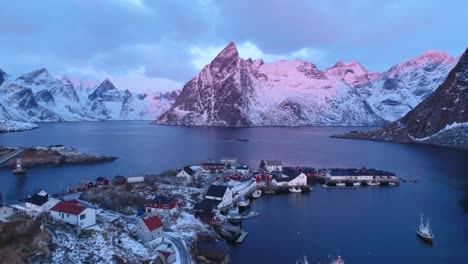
(39, 97)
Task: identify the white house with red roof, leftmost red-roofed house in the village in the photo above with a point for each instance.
(73, 213)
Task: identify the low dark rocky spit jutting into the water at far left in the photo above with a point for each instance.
(54, 156)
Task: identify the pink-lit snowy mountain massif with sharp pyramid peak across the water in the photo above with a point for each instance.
(231, 91)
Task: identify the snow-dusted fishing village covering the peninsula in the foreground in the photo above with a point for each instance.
(187, 215)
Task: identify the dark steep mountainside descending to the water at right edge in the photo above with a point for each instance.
(441, 119)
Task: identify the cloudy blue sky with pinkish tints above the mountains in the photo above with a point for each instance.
(145, 44)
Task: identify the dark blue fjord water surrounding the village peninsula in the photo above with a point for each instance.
(366, 225)
